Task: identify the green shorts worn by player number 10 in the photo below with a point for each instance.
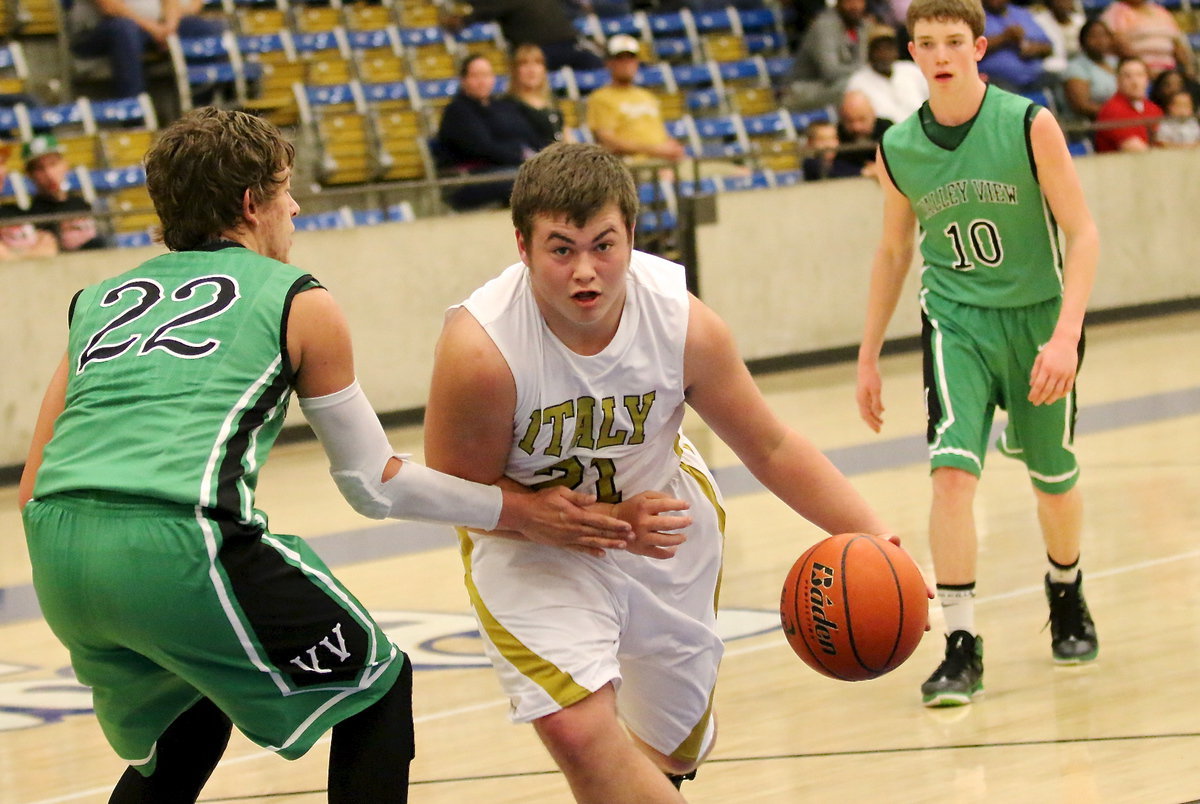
(977, 359)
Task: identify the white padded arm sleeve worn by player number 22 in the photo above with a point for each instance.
(358, 452)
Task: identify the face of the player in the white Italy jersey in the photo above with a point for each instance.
(578, 275)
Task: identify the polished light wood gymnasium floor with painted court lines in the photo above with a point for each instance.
(1123, 730)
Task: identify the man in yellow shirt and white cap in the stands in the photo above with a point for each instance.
(628, 119)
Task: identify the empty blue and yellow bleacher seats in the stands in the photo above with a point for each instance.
(365, 82)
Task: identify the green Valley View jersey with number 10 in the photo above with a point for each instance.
(987, 235)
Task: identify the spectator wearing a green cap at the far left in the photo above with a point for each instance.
(49, 169)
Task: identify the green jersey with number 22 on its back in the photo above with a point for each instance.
(178, 381)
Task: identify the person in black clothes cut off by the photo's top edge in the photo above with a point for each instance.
(544, 23)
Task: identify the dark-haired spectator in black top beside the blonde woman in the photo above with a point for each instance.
(482, 134)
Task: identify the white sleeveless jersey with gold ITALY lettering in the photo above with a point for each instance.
(603, 424)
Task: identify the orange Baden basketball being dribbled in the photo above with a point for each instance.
(855, 607)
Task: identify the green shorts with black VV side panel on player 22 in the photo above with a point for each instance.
(161, 605)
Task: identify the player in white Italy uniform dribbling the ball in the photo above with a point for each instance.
(572, 368)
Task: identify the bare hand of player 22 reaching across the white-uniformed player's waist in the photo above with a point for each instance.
(561, 518)
